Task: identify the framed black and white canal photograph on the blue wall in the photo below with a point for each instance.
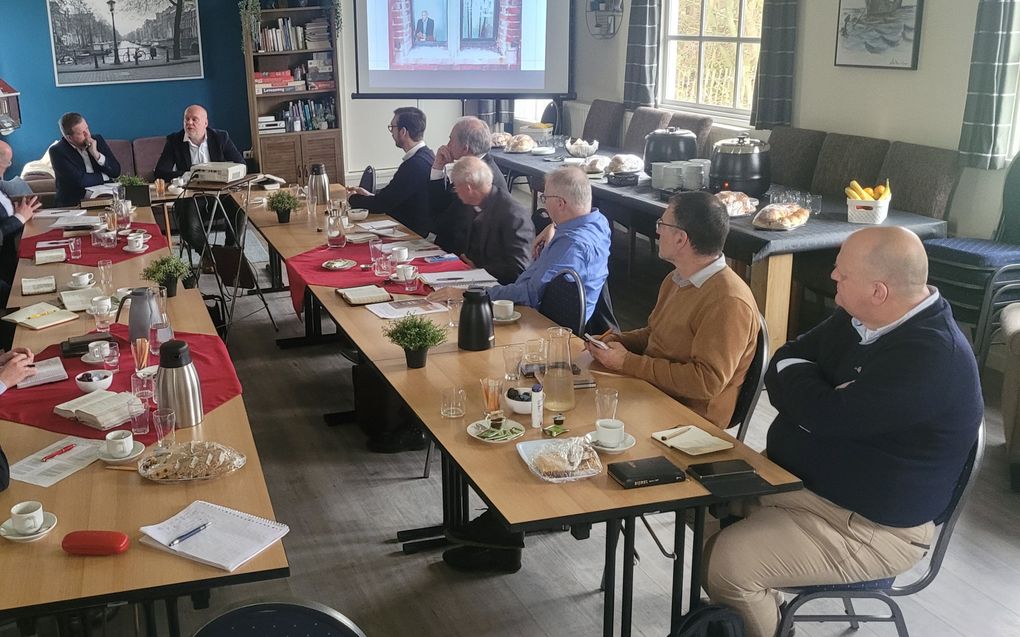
(120, 41)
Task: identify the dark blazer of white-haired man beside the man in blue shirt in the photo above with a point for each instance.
(501, 238)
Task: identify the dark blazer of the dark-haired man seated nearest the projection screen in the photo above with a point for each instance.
(405, 198)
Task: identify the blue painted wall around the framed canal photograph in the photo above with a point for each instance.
(122, 112)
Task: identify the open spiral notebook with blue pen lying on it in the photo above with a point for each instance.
(232, 538)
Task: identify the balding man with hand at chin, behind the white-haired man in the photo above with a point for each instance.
(452, 219)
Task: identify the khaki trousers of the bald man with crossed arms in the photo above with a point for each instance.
(802, 540)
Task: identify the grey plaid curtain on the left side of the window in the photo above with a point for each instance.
(642, 72)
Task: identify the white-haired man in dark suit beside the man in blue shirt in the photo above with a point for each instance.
(501, 234)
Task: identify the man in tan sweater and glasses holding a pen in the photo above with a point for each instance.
(701, 336)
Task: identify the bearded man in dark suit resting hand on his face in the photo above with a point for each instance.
(80, 161)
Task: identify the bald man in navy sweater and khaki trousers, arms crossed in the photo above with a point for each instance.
(879, 408)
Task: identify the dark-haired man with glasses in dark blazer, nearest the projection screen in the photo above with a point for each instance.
(405, 198)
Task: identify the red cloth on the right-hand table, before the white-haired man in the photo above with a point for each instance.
(307, 270)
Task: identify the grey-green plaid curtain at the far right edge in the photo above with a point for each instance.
(989, 116)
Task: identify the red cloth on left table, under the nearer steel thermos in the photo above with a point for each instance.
(34, 406)
